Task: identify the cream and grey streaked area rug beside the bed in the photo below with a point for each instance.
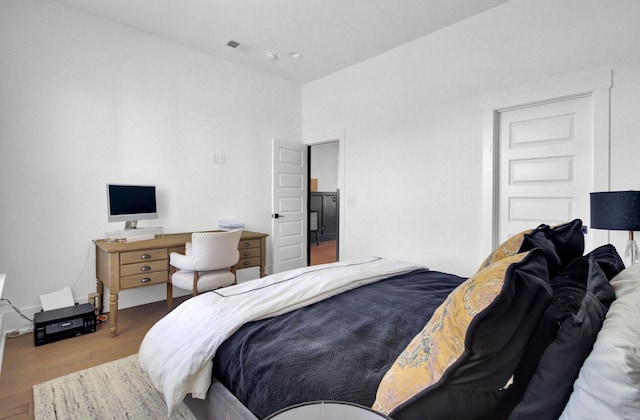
(114, 390)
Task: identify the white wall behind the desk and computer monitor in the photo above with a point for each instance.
(83, 102)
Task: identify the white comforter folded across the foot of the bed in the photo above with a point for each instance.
(177, 351)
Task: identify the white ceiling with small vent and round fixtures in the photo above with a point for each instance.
(329, 35)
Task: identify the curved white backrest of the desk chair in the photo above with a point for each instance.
(215, 250)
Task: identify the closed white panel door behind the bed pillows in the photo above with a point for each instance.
(546, 164)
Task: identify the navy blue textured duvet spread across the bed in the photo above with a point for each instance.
(337, 349)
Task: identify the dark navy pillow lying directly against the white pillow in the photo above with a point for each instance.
(563, 339)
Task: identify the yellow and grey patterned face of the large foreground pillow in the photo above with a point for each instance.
(442, 341)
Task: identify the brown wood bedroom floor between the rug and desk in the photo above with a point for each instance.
(25, 365)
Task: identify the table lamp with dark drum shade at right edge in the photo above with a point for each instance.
(618, 210)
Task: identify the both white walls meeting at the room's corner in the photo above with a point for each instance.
(84, 102)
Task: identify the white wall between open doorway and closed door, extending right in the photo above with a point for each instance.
(413, 120)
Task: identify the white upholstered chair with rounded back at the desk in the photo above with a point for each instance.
(207, 262)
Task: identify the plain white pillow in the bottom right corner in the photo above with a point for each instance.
(608, 385)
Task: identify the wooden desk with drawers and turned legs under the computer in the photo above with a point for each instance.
(143, 263)
